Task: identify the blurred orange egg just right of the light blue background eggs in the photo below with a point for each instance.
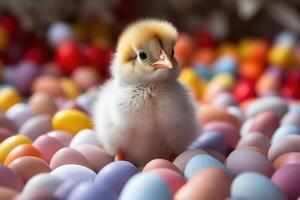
(251, 69)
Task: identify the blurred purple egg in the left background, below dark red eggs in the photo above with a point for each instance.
(24, 75)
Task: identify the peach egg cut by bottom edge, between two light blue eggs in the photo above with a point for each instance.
(210, 183)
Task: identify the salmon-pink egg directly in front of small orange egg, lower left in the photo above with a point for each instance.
(28, 166)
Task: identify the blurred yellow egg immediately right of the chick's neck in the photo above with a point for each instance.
(189, 77)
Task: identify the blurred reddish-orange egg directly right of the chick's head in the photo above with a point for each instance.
(184, 49)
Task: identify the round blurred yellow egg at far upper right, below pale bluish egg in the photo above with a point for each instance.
(281, 56)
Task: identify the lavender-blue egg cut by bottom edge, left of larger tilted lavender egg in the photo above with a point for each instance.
(91, 191)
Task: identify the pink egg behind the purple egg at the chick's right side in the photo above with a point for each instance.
(230, 132)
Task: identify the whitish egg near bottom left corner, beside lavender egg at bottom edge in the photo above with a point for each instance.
(44, 182)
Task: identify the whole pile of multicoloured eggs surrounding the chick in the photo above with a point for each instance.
(248, 95)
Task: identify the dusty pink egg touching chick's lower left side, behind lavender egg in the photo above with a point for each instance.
(96, 156)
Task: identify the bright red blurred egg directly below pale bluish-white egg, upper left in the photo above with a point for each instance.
(68, 57)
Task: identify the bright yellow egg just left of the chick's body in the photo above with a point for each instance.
(71, 121)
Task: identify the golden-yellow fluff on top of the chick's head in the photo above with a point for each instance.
(140, 32)
